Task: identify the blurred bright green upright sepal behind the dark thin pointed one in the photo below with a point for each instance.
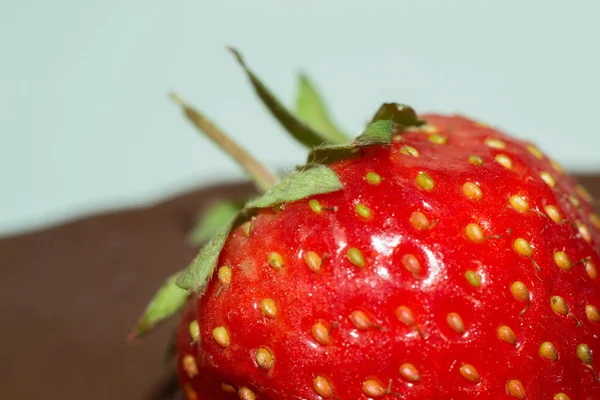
(311, 109)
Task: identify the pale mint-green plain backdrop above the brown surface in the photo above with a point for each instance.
(85, 123)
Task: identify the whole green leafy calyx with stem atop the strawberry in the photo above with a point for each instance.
(328, 145)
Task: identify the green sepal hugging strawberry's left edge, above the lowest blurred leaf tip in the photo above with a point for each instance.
(199, 271)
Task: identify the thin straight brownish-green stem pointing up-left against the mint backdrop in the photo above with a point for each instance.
(260, 174)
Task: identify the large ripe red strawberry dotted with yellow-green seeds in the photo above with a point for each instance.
(451, 261)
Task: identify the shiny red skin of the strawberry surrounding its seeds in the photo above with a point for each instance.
(304, 297)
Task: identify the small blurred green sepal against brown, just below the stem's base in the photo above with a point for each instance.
(213, 219)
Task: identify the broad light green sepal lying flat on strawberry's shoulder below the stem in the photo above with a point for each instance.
(299, 185)
